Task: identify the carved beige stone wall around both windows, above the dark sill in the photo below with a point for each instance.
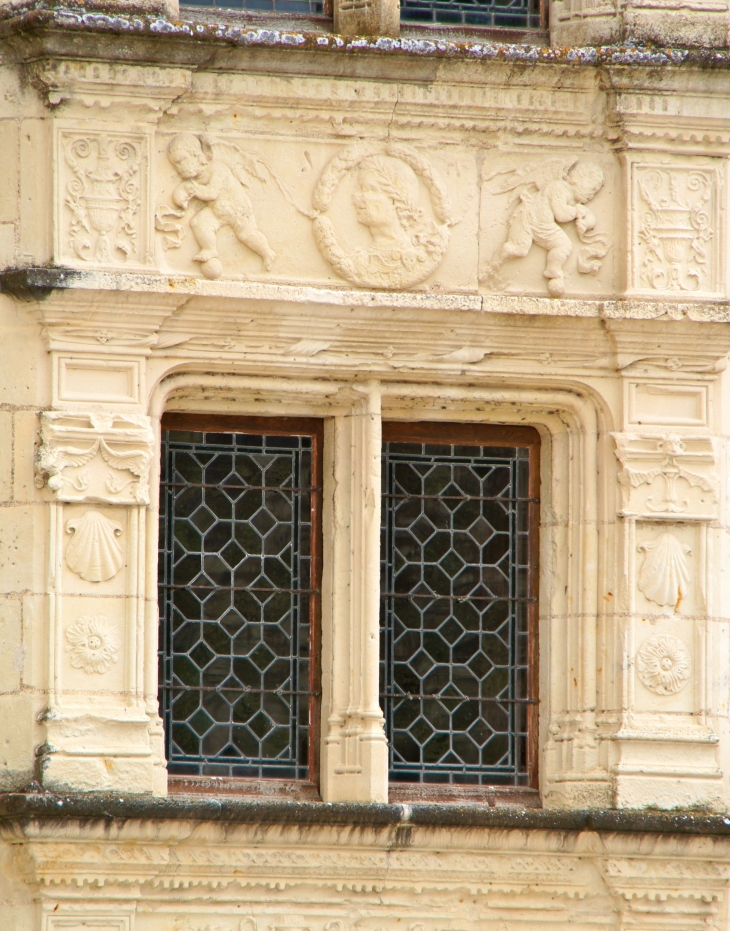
(363, 236)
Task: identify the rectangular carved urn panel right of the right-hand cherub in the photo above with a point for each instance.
(675, 223)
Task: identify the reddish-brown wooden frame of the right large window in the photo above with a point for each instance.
(489, 434)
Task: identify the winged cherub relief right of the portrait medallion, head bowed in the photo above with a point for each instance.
(551, 193)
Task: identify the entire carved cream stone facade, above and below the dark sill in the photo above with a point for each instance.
(197, 217)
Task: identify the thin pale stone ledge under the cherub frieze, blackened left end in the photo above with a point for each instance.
(37, 284)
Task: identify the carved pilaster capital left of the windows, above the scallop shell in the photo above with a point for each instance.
(95, 457)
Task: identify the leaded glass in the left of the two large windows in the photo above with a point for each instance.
(235, 590)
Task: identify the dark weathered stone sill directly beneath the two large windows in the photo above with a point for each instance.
(19, 807)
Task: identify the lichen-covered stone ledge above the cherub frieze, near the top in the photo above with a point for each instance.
(107, 18)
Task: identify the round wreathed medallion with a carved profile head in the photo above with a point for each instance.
(407, 239)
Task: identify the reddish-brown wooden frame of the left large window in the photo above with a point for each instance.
(273, 426)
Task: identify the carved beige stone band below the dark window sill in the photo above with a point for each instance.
(163, 875)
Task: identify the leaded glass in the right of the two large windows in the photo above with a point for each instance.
(454, 613)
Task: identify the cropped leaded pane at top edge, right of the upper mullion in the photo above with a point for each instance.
(505, 14)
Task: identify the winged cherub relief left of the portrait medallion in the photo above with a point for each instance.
(214, 176)
